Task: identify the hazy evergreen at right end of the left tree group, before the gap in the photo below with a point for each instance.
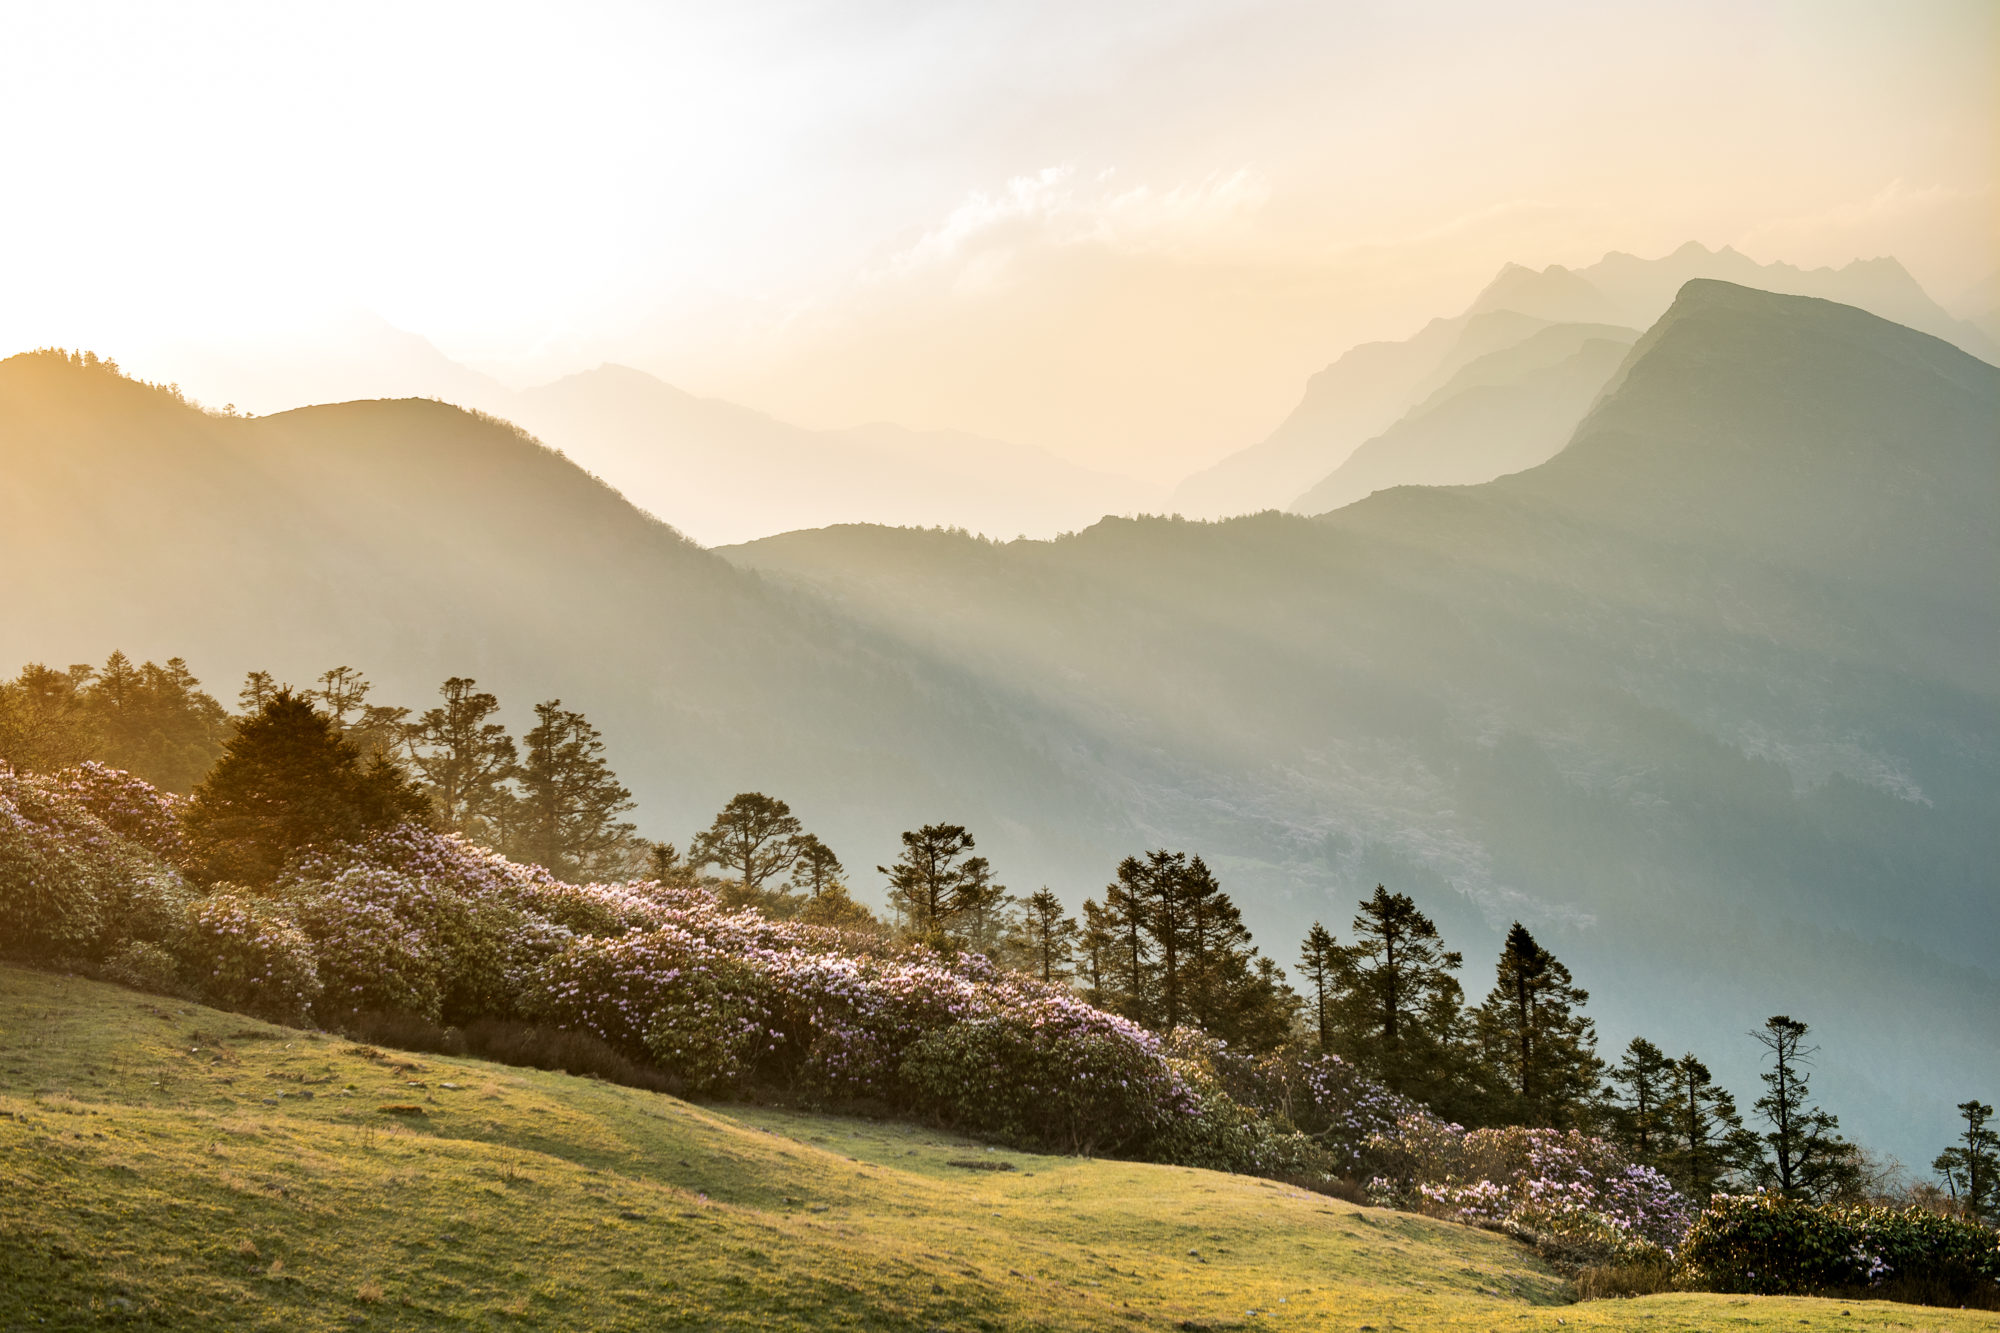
(567, 818)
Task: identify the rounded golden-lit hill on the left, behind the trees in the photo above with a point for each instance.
(417, 541)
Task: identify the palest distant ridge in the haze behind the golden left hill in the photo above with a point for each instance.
(717, 471)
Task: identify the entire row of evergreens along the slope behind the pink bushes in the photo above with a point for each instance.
(1163, 946)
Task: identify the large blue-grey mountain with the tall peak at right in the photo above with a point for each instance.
(1715, 694)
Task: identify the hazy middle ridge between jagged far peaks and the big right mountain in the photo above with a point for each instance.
(1503, 413)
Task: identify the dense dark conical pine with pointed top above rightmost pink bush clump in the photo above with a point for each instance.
(1537, 1046)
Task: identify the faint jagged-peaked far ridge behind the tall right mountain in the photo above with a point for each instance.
(1373, 385)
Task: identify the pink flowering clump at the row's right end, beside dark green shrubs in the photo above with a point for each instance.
(1569, 1192)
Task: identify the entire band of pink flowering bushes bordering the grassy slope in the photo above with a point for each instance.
(429, 928)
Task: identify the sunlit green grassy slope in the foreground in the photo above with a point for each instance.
(171, 1166)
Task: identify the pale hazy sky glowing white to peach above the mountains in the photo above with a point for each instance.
(1119, 231)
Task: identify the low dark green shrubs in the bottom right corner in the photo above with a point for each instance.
(1773, 1246)
